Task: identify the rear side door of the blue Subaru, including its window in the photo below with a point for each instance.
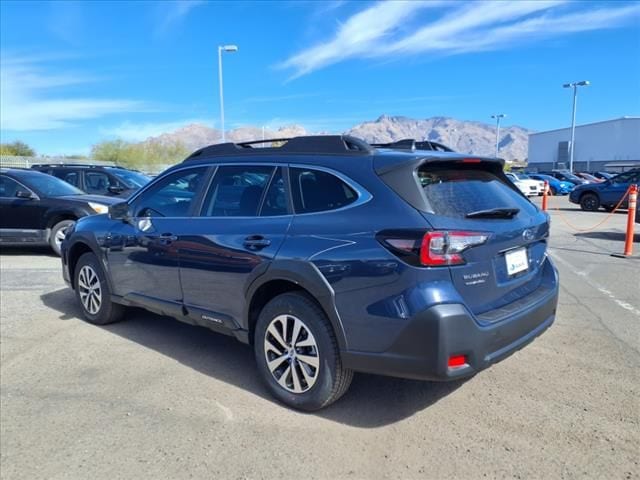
(244, 219)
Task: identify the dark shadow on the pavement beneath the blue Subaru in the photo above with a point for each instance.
(372, 401)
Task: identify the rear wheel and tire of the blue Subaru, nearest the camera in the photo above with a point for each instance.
(297, 353)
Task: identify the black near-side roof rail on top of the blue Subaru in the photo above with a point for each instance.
(323, 144)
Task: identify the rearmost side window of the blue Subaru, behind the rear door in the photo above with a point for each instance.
(318, 191)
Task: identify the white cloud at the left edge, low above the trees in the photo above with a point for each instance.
(28, 99)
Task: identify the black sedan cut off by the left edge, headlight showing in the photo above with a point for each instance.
(37, 209)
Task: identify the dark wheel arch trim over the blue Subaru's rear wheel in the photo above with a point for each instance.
(306, 275)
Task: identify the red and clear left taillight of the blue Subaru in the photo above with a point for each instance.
(432, 249)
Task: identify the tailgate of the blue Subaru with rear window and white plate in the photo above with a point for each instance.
(469, 199)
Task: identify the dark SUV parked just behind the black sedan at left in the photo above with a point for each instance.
(97, 179)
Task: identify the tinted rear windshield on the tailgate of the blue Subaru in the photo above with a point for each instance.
(455, 193)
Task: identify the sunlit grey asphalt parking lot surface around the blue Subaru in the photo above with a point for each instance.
(153, 398)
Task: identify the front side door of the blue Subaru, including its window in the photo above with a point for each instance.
(143, 252)
